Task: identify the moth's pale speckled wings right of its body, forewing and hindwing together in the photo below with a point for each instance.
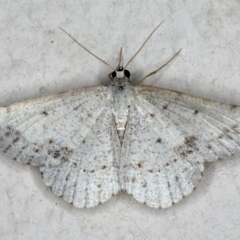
(168, 138)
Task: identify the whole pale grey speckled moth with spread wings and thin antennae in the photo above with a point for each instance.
(93, 142)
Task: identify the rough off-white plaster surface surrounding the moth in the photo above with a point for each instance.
(37, 59)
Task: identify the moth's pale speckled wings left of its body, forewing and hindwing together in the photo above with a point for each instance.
(72, 138)
